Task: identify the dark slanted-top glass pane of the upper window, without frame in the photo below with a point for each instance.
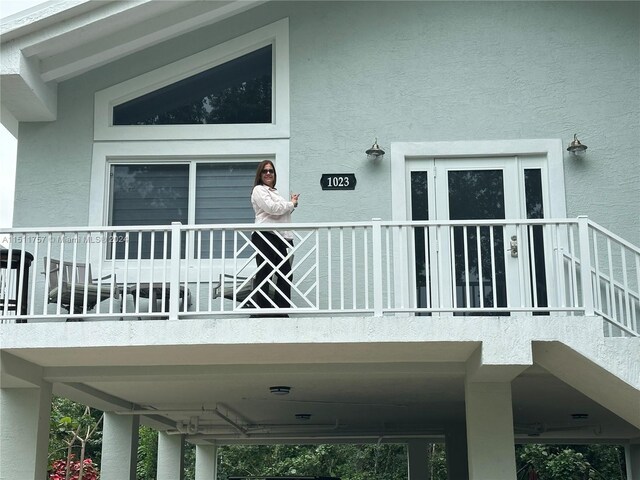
(236, 92)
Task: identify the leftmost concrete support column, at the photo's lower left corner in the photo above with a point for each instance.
(24, 432)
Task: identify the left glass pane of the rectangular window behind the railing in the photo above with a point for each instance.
(148, 195)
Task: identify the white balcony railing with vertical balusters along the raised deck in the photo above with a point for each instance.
(491, 267)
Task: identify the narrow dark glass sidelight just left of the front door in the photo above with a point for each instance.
(420, 211)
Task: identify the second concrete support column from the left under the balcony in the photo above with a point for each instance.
(119, 447)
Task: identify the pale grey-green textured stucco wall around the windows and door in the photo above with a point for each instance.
(401, 71)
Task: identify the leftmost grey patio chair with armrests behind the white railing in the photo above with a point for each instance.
(72, 296)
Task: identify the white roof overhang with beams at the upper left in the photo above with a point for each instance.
(59, 40)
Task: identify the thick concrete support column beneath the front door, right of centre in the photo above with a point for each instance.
(490, 441)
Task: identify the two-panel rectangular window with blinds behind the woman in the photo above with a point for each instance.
(159, 193)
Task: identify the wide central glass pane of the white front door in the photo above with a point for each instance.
(480, 279)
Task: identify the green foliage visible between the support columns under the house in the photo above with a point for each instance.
(76, 432)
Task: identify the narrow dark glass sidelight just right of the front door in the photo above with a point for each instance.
(535, 209)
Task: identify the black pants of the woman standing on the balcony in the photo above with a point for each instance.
(273, 248)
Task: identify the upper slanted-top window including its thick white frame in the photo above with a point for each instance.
(234, 90)
